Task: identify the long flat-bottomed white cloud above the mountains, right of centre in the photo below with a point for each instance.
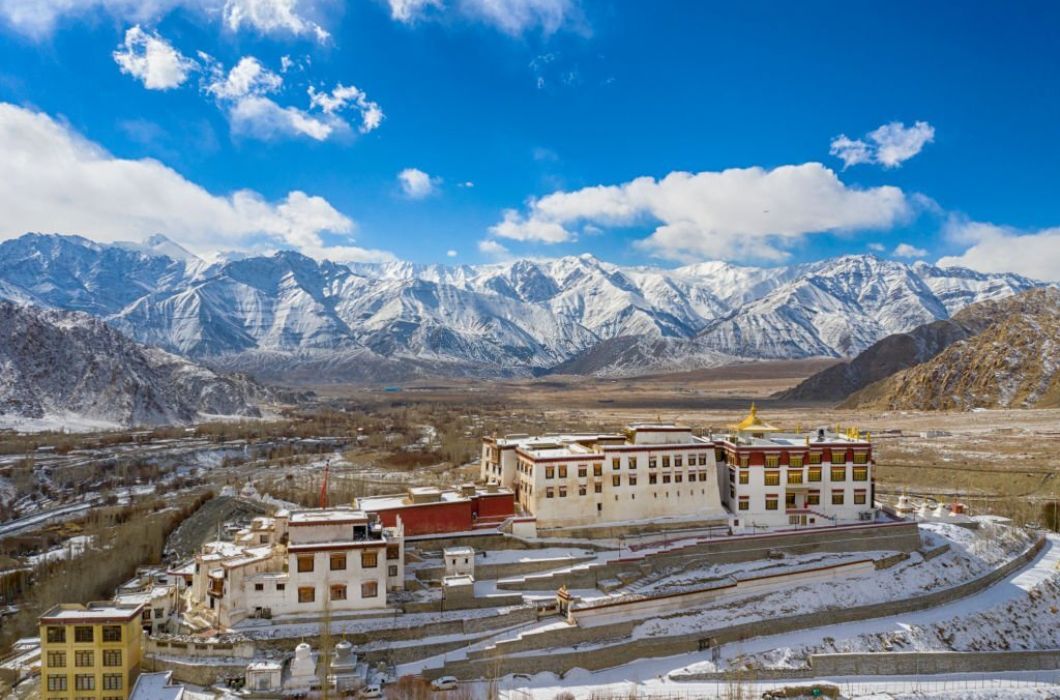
(738, 214)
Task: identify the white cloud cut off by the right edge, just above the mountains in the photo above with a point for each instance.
(1004, 250)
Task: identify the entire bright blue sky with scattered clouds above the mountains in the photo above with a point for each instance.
(644, 133)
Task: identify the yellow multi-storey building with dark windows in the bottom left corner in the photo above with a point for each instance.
(90, 653)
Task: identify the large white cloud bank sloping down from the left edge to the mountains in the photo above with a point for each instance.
(59, 182)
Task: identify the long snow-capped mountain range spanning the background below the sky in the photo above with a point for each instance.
(515, 318)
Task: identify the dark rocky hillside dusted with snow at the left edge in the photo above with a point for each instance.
(70, 370)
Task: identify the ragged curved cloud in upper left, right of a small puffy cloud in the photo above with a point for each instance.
(245, 95)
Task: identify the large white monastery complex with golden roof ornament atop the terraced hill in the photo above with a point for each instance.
(754, 476)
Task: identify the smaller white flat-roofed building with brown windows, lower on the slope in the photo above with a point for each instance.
(299, 563)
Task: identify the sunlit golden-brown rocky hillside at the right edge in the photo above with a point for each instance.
(1012, 363)
